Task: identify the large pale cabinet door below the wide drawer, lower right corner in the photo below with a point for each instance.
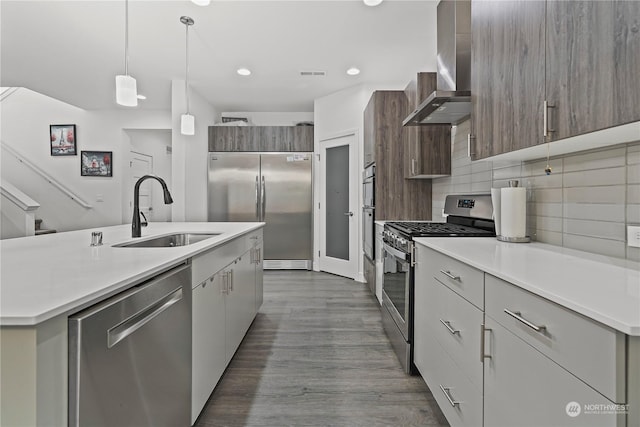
(523, 387)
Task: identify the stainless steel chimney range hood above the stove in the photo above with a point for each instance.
(451, 102)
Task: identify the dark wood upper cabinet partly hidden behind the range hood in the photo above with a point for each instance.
(428, 148)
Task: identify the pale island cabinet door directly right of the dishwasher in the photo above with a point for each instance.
(208, 341)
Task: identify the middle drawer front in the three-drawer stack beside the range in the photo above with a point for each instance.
(457, 328)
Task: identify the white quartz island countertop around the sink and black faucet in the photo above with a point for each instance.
(49, 275)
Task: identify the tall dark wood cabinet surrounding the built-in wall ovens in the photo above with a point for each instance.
(396, 198)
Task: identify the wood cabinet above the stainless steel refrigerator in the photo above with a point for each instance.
(261, 138)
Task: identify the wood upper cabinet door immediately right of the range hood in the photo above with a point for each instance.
(507, 82)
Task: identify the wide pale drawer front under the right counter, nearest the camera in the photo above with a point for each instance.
(591, 351)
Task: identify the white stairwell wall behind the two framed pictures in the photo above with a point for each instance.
(26, 116)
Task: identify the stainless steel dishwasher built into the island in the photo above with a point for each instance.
(130, 356)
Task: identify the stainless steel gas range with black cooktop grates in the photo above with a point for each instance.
(467, 216)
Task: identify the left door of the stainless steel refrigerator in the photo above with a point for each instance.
(234, 187)
